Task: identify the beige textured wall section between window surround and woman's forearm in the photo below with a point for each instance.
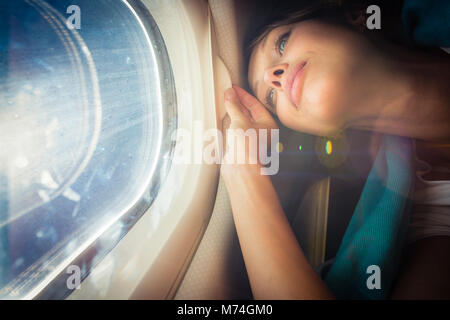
(217, 270)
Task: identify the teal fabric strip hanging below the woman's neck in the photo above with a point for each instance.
(376, 232)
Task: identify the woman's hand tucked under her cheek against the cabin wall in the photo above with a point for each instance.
(246, 112)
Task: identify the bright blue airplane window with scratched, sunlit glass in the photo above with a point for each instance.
(86, 103)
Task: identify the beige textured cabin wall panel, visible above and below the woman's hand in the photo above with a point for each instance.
(217, 270)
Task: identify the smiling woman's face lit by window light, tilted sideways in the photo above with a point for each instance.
(311, 74)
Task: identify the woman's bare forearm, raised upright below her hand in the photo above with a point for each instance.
(276, 265)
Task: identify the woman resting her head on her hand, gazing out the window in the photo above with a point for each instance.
(320, 74)
